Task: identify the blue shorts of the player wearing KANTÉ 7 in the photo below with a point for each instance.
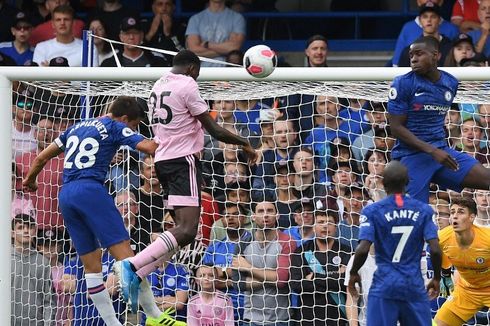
(386, 312)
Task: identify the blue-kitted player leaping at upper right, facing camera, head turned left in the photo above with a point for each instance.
(417, 107)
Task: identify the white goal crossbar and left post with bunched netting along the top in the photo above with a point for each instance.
(370, 84)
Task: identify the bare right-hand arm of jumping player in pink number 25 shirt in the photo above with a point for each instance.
(226, 136)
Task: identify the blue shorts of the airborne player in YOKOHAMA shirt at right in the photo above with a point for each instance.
(423, 169)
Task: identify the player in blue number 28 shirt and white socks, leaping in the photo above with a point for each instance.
(89, 213)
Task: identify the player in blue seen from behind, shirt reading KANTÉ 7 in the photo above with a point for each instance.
(398, 226)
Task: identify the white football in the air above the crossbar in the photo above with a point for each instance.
(260, 61)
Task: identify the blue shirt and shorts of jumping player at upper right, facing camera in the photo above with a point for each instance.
(425, 103)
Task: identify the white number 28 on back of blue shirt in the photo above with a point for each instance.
(85, 157)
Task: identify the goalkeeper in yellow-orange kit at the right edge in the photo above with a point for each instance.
(466, 247)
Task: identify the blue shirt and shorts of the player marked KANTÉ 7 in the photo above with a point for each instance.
(398, 226)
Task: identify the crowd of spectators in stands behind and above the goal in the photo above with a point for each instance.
(275, 238)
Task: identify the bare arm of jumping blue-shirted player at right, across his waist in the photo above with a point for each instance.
(400, 132)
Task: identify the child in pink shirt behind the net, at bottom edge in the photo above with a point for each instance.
(209, 307)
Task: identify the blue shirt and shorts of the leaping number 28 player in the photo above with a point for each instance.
(88, 210)
